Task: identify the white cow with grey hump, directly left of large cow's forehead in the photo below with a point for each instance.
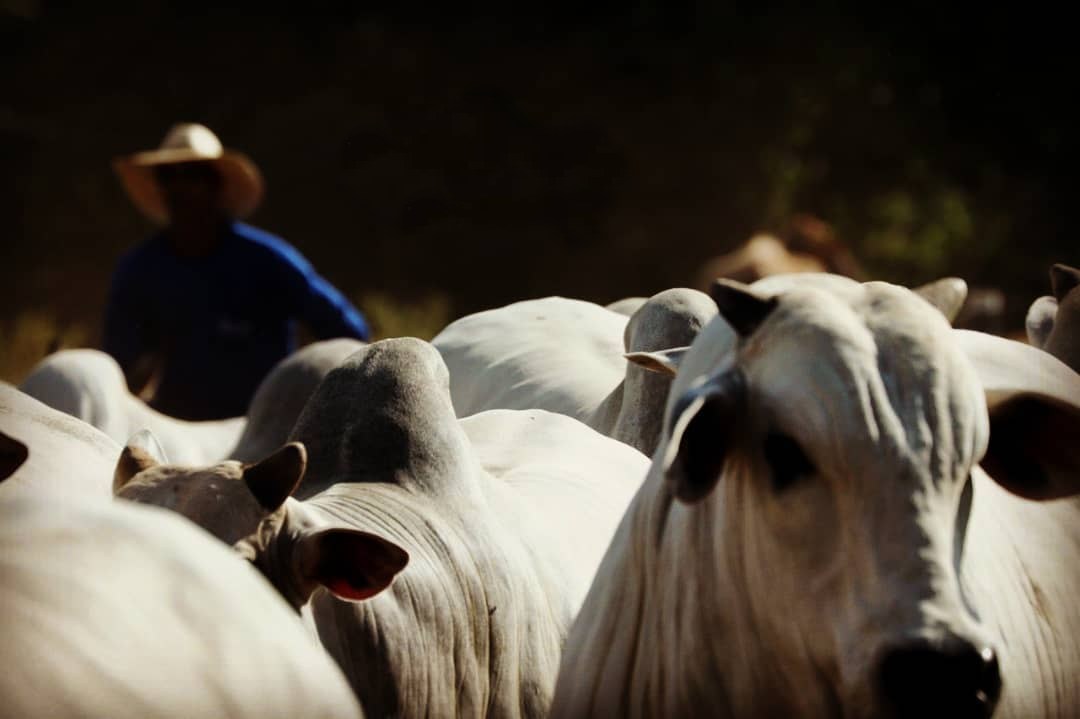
(570, 357)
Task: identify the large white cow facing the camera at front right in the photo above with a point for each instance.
(843, 520)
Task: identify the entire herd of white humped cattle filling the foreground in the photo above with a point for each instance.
(804, 496)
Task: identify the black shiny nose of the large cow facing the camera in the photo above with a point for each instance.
(954, 680)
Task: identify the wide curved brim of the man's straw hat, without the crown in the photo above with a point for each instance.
(241, 181)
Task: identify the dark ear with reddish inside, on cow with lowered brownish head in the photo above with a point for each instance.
(352, 564)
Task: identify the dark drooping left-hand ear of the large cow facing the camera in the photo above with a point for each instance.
(705, 423)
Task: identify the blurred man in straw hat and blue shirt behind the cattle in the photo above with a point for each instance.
(201, 311)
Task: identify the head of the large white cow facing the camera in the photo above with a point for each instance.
(827, 435)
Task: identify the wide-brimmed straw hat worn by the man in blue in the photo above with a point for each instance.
(241, 181)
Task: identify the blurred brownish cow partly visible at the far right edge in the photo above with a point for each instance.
(1054, 322)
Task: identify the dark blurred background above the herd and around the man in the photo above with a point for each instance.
(461, 157)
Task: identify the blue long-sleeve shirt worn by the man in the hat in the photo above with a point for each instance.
(221, 321)
